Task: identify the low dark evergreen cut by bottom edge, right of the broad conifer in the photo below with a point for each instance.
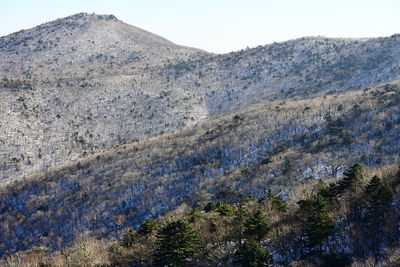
(254, 255)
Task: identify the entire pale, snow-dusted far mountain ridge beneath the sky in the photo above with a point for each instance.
(72, 88)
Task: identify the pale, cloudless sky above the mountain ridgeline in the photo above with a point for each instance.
(221, 25)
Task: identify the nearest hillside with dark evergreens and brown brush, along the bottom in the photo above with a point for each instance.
(351, 221)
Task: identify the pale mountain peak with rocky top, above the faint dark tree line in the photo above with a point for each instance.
(65, 47)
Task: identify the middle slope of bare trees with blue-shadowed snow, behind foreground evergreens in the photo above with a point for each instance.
(275, 145)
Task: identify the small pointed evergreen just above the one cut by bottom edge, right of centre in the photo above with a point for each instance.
(257, 225)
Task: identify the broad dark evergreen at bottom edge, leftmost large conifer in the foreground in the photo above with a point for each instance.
(177, 242)
